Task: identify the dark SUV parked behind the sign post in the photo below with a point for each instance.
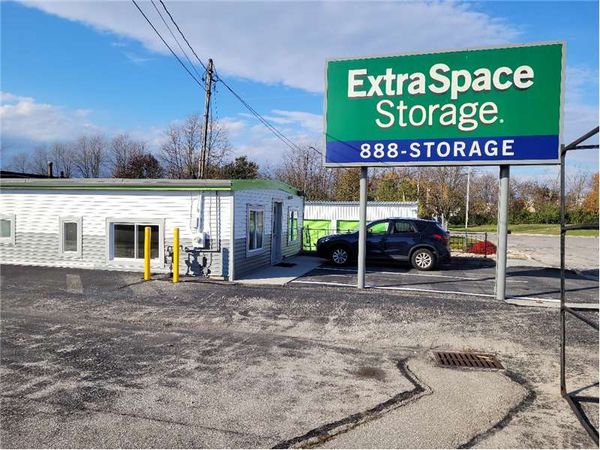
(422, 242)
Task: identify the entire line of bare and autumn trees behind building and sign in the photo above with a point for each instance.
(440, 191)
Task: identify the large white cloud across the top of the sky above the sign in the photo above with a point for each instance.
(288, 42)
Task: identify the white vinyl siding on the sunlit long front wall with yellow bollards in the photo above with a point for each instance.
(37, 225)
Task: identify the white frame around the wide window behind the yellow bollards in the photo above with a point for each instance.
(134, 262)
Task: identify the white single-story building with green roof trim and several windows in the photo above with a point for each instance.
(235, 225)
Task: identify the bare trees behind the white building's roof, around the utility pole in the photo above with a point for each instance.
(94, 156)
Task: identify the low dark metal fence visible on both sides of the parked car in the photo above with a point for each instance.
(460, 241)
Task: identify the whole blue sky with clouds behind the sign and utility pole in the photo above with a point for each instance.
(74, 67)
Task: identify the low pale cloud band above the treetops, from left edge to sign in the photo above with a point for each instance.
(26, 122)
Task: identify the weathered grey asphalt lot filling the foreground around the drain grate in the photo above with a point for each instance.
(101, 359)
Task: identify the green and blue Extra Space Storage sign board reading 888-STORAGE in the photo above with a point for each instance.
(475, 107)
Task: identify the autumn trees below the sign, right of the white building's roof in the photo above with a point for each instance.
(441, 191)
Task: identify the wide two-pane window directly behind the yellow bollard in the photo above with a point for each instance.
(127, 240)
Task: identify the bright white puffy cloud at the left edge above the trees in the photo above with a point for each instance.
(23, 118)
